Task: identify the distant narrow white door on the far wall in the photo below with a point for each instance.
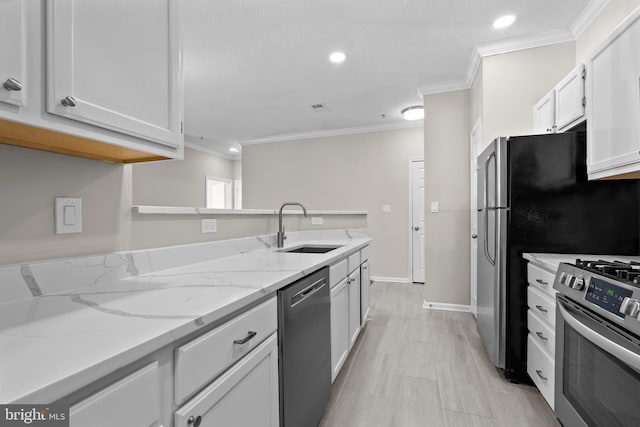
(417, 221)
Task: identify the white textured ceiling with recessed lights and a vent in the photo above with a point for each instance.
(253, 68)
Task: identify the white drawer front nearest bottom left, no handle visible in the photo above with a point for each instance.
(133, 401)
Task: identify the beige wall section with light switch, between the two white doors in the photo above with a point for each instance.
(446, 153)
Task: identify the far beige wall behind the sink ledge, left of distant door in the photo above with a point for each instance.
(352, 172)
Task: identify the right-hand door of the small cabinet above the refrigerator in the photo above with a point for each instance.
(570, 100)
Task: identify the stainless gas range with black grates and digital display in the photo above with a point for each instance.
(598, 343)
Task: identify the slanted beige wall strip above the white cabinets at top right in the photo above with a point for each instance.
(607, 20)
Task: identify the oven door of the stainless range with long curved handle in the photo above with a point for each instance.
(597, 370)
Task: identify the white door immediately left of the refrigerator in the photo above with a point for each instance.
(475, 139)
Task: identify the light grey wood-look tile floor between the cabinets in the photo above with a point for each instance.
(418, 367)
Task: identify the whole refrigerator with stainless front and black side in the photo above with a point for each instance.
(533, 196)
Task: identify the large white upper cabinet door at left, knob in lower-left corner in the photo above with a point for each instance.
(116, 64)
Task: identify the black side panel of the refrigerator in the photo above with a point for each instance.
(554, 209)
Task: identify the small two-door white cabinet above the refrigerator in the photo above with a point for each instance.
(563, 106)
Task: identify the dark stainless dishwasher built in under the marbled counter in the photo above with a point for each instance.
(304, 348)
